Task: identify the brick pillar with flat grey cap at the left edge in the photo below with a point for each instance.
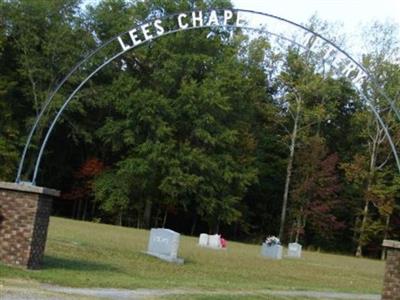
(24, 218)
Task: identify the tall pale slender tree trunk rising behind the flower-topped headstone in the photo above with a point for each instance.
(289, 169)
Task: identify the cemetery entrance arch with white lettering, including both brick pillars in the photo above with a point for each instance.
(280, 32)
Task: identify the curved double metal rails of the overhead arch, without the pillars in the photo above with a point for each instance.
(340, 62)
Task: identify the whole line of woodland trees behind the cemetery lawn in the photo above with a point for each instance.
(204, 132)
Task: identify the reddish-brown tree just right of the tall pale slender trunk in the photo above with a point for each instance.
(315, 192)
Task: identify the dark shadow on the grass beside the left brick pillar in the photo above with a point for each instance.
(53, 262)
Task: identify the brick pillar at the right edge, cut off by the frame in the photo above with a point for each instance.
(391, 284)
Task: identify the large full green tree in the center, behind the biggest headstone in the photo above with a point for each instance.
(185, 142)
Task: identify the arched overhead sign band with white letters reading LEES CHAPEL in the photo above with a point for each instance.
(281, 33)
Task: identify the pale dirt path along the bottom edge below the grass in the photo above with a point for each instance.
(24, 290)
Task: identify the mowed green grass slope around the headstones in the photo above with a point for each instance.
(84, 254)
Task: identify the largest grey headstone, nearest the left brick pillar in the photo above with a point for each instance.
(164, 244)
